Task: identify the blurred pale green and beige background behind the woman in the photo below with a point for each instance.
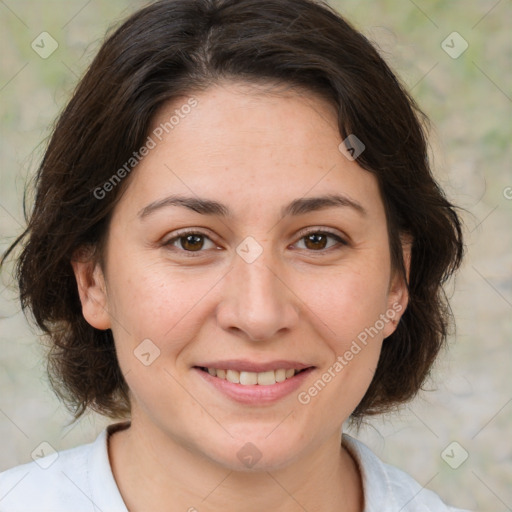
(455, 57)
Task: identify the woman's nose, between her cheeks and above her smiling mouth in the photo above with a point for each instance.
(257, 302)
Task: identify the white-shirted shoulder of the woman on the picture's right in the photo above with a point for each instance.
(389, 489)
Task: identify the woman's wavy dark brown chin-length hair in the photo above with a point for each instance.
(175, 47)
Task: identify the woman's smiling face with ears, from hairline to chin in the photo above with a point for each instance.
(246, 244)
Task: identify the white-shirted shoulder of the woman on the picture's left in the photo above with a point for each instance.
(78, 479)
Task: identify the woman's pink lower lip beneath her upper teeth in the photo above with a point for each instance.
(256, 394)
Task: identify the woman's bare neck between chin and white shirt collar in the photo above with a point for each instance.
(156, 472)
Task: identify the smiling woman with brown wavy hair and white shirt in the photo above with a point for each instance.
(237, 245)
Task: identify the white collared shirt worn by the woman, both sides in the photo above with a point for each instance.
(80, 480)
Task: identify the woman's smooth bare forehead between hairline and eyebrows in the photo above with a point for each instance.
(250, 147)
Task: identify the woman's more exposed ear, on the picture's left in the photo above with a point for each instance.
(91, 289)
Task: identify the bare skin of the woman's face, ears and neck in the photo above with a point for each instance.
(255, 150)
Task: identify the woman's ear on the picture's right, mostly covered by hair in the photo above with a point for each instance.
(398, 296)
